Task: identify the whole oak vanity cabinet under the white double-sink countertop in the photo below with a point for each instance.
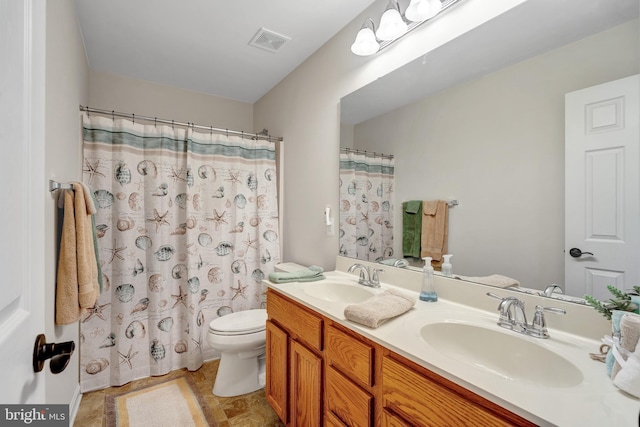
(321, 373)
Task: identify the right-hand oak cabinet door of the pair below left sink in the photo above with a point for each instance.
(306, 387)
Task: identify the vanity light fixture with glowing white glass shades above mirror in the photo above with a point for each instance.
(394, 25)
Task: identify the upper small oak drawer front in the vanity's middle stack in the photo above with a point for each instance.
(350, 355)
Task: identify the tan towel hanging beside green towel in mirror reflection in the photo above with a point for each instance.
(435, 230)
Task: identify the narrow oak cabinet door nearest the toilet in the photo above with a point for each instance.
(276, 387)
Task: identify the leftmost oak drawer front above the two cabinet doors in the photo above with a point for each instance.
(301, 323)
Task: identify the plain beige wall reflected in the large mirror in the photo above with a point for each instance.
(497, 145)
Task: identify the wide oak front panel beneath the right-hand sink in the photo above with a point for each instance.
(420, 400)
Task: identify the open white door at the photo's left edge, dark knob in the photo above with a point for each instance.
(22, 57)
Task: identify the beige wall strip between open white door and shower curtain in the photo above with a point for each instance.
(67, 85)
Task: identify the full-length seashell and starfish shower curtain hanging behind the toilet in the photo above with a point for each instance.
(187, 228)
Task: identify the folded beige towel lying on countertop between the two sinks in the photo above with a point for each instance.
(380, 308)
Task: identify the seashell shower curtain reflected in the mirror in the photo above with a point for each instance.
(366, 205)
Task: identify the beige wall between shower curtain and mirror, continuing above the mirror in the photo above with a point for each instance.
(304, 109)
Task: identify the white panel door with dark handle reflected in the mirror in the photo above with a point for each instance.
(602, 188)
